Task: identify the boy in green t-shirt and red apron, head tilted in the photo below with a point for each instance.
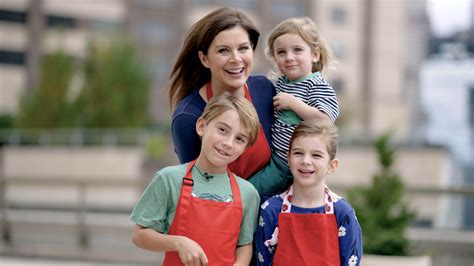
(199, 213)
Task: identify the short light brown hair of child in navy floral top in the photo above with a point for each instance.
(327, 131)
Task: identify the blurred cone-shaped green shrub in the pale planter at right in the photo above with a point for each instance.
(381, 210)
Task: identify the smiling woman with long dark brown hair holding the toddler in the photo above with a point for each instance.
(217, 57)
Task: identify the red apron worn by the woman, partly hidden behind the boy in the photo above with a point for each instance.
(254, 157)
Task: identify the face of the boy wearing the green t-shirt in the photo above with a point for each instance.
(224, 139)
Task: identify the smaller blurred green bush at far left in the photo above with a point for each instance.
(46, 106)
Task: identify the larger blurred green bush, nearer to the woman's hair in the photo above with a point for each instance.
(116, 91)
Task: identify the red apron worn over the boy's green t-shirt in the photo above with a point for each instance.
(215, 226)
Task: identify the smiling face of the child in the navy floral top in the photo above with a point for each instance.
(309, 161)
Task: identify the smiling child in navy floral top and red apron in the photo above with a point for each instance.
(309, 224)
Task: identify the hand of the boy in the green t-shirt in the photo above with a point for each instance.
(191, 253)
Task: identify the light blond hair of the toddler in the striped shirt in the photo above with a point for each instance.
(309, 32)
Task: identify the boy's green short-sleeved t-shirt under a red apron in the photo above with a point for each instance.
(157, 205)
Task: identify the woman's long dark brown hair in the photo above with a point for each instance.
(188, 73)
